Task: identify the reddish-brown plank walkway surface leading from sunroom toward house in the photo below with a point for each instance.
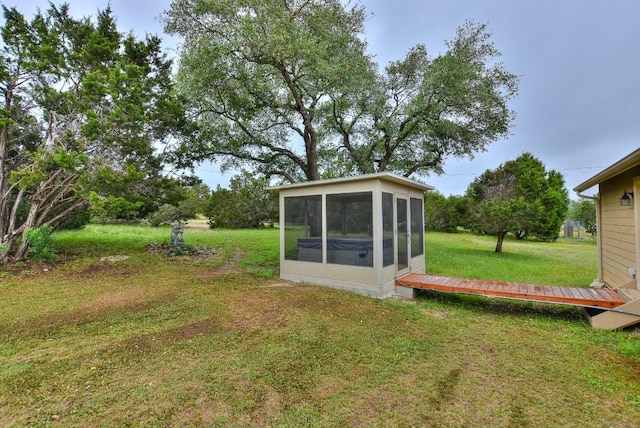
(586, 297)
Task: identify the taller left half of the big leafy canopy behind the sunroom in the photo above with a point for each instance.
(258, 75)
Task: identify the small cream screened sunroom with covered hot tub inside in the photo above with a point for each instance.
(356, 233)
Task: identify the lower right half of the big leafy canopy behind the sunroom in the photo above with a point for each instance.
(452, 105)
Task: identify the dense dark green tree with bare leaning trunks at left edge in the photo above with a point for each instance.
(85, 107)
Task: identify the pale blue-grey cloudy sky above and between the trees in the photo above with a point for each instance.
(578, 108)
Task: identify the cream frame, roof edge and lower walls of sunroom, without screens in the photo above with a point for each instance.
(373, 279)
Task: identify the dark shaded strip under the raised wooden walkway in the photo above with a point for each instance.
(512, 307)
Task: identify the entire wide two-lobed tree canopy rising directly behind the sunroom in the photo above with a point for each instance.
(288, 89)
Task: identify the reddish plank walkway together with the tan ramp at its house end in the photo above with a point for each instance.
(621, 308)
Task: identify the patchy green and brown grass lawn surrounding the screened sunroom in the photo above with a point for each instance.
(158, 341)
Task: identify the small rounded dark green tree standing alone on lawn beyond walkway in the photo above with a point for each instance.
(521, 197)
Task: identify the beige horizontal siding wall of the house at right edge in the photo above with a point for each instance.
(618, 229)
